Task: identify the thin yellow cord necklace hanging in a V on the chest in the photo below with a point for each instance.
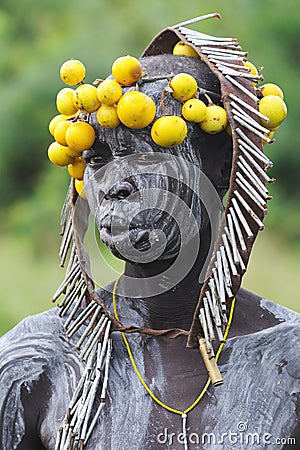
(185, 412)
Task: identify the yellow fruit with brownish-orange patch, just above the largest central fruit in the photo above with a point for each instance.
(127, 70)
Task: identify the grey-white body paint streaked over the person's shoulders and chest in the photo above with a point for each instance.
(261, 382)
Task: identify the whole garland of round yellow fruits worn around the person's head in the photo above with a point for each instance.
(73, 133)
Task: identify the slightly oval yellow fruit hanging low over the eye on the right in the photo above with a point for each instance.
(168, 131)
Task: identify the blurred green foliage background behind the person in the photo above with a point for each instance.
(36, 38)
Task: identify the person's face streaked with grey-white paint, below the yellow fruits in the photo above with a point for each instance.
(145, 203)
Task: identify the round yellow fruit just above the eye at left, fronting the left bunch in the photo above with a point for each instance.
(80, 136)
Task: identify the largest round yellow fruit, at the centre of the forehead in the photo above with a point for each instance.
(136, 110)
